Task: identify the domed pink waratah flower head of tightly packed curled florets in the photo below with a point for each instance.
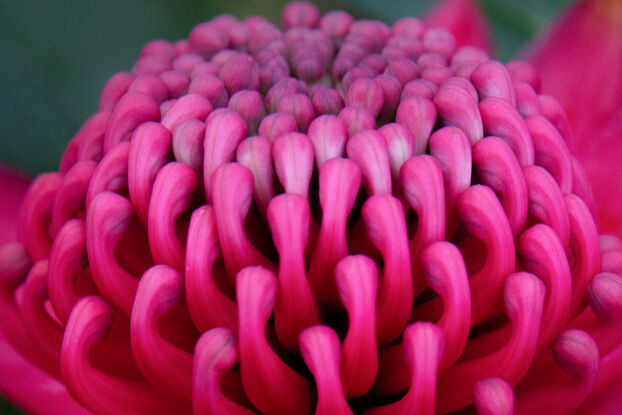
(336, 217)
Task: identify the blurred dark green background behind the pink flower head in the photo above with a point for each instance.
(57, 55)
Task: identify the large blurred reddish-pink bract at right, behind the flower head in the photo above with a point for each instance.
(570, 60)
